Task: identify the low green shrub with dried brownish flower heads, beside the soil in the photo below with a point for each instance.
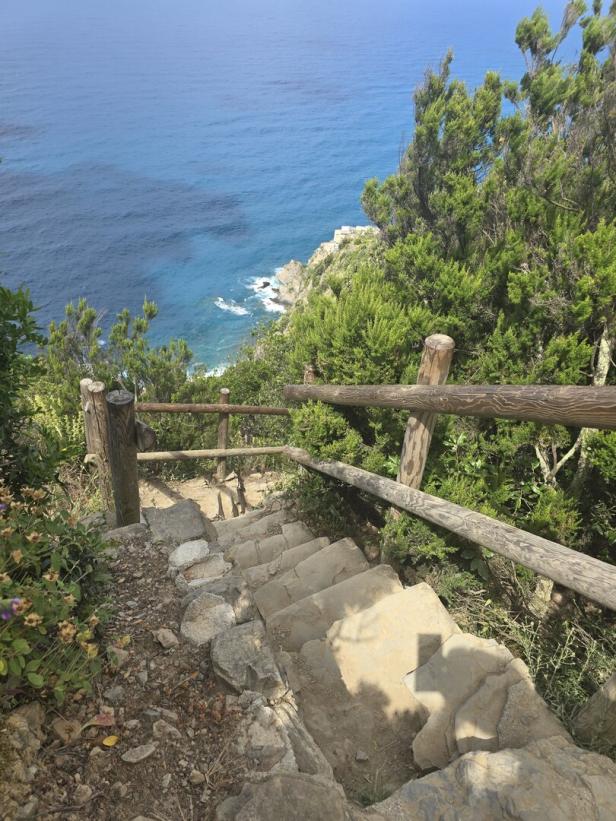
(50, 569)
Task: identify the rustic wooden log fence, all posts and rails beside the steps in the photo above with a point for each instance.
(113, 437)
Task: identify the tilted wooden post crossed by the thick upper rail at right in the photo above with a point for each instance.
(433, 370)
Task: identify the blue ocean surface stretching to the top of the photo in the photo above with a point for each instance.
(184, 149)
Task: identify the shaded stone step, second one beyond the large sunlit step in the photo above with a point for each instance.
(328, 567)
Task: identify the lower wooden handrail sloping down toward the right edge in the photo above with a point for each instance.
(592, 578)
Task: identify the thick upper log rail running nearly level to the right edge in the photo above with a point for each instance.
(572, 405)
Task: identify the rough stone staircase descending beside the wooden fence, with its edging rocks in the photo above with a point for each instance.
(353, 686)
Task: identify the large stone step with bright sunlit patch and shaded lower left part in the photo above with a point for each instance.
(349, 686)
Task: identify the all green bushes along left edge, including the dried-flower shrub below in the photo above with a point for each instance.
(49, 565)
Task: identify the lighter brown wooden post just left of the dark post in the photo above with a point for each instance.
(96, 425)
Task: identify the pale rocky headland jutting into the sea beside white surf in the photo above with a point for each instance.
(291, 283)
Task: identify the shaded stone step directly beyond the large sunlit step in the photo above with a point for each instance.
(311, 617)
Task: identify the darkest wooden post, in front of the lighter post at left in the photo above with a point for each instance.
(123, 453)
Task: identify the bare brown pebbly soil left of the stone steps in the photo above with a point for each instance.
(179, 680)
